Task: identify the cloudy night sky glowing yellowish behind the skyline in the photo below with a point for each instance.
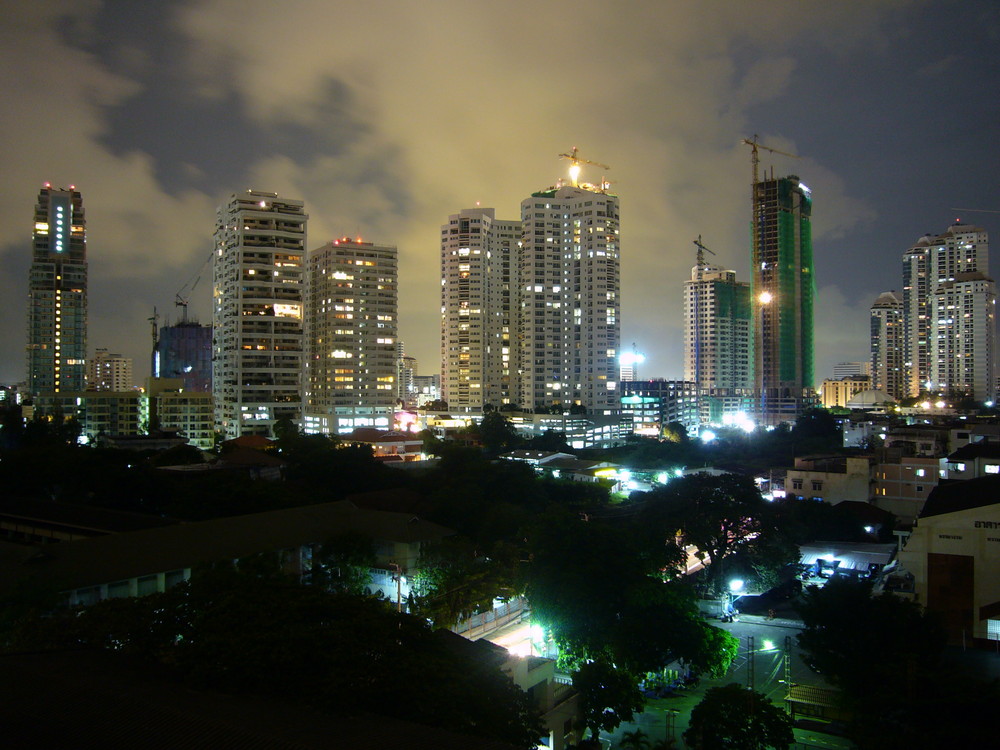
(385, 117)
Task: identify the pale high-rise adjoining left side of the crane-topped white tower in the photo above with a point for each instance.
(479, 310)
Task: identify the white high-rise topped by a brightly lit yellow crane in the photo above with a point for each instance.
(569, 285)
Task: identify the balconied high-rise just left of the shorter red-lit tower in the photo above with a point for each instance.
(257, 313)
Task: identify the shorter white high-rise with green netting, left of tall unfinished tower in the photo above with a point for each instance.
(717, 326)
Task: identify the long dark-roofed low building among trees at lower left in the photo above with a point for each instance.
(146, 561)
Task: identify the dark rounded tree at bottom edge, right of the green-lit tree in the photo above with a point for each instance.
(737, 718)
